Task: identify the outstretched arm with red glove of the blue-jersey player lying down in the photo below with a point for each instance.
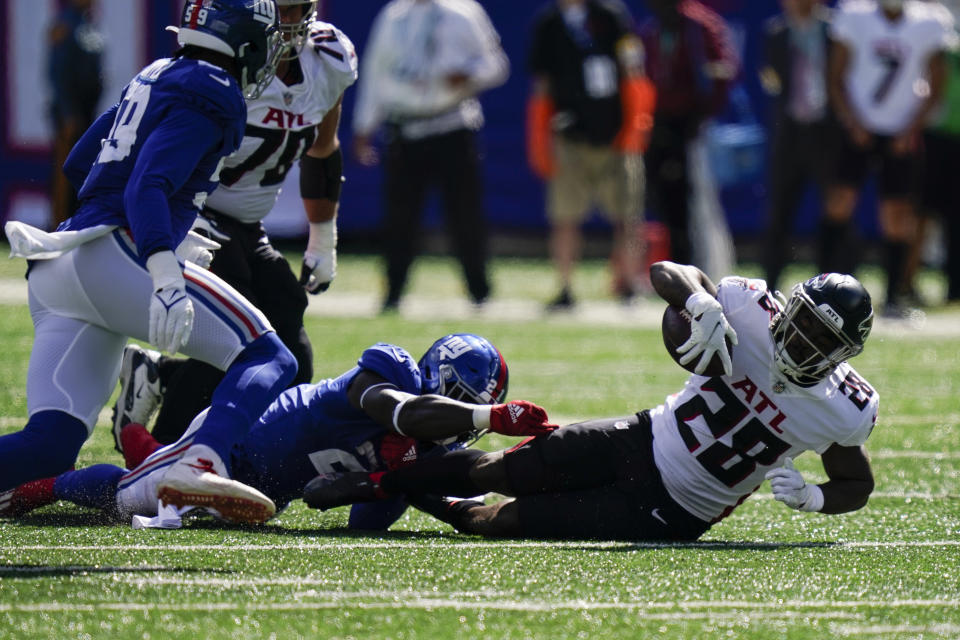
(436, 417)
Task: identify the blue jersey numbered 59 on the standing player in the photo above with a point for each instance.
(150, 161)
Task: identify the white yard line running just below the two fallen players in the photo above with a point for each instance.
(340, 545)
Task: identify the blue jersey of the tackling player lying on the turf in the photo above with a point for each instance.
(313, 428)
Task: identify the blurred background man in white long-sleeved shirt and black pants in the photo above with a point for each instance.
(425, 63)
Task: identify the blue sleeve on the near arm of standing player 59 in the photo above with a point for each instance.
(163, 165)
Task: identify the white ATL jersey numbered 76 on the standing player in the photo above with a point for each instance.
(282, 125)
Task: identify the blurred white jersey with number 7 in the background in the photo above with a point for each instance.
(887, 76)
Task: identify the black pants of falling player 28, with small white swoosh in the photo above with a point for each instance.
(596, 480)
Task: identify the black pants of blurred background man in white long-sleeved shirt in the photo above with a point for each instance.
(450, 162)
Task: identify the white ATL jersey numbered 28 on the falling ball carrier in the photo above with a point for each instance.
(715, 440)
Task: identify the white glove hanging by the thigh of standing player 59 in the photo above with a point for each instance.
(171, 312)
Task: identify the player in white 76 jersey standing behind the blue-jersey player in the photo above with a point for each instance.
(296, 118)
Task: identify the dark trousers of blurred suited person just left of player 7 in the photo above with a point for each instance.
(801, 156)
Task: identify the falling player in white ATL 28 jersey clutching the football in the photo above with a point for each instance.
(671, 472)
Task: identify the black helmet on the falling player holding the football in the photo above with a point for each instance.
(825, 321)
